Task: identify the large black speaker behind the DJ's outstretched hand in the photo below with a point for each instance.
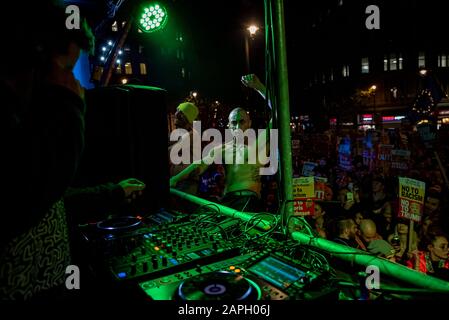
(127, 136)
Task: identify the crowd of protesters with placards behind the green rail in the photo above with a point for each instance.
(362, 209)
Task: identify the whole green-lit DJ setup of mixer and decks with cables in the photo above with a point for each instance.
(171, 256)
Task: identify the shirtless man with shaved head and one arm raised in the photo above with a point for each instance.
(242, 181)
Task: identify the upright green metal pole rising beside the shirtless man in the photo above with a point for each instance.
(285, 151)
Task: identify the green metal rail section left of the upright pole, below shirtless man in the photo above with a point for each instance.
(263, 224)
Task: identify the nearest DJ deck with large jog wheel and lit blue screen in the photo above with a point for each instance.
(254, 276)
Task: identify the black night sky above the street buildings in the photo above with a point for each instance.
(317, 32)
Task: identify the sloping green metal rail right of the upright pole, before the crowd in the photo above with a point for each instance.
(386, 267)
